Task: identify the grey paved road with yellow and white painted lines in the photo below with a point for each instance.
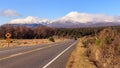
(41, 56)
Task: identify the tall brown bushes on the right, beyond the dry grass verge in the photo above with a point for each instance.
(104, 49)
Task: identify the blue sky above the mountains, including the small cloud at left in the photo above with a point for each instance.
(52, 9)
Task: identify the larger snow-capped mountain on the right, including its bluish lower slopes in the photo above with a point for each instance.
(76, 19)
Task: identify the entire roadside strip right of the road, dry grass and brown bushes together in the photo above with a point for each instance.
(102, 49)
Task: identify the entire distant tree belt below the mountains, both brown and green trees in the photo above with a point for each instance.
(22, 32)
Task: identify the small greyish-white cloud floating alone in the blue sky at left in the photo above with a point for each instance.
(9, 13)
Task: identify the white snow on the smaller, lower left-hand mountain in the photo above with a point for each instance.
(29, 20)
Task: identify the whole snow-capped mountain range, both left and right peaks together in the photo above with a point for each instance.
(72, 19)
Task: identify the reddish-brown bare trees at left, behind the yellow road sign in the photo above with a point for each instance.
(22, 32)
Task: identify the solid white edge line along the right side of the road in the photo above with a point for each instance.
(58, 55)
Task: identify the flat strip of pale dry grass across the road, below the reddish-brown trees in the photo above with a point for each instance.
(26, 42)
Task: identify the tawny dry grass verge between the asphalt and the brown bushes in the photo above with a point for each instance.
(79, 59)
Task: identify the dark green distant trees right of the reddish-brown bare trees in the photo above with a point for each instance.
(77, 32)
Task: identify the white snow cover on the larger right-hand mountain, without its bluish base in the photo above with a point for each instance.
(86, 18)
